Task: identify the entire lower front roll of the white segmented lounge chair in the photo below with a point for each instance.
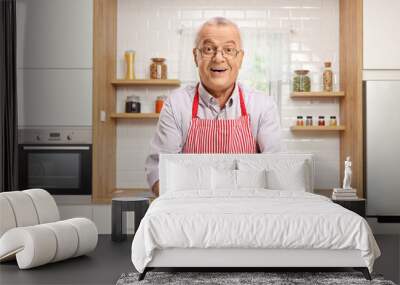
(37, 245)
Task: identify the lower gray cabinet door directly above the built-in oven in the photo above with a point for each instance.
(54, 97)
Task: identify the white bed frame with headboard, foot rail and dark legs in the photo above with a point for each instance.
(240, 259)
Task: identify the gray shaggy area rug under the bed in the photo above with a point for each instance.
(269, 278)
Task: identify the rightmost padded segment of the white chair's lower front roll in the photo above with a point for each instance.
(87, 234)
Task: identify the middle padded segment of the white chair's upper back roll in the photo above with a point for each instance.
(23, 208)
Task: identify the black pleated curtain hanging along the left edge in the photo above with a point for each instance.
(8, 96)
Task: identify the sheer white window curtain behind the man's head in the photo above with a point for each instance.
(265, 63)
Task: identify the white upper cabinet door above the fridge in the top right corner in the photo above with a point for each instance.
(381, 39)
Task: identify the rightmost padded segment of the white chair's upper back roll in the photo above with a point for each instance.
(45, 205)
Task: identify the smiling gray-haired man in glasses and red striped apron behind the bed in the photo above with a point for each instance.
(217, 115)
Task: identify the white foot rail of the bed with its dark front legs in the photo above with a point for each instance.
(256, 259)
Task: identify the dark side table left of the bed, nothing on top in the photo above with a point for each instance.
(119, 205)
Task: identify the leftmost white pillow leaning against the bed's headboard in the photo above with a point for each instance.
(181, 177)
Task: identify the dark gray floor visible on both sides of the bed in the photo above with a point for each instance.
(111, 259)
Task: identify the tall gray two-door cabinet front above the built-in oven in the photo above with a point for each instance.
(54, 62)
